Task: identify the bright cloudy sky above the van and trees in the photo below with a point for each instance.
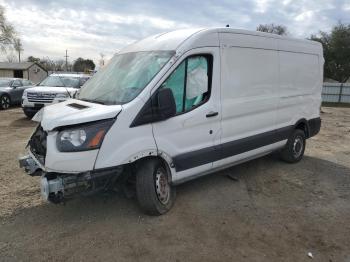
(87, 28)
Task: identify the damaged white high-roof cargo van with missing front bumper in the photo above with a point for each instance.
(177, 106)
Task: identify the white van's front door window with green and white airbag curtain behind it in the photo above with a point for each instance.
(190, 82)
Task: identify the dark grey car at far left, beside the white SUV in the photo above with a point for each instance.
(11, 91)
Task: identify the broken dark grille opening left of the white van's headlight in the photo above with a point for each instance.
(37, 144)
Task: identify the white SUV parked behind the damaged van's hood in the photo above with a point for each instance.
(53, 89)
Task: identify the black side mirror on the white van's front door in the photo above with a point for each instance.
(166, 103)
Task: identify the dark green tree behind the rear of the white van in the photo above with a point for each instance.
(336, 50)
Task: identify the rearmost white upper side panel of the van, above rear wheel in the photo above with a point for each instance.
(300, 82)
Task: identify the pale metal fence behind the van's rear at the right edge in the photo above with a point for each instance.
(336, 93)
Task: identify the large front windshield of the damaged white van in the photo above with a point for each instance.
(124, 77)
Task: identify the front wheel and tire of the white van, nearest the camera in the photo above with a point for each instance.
(154, 193)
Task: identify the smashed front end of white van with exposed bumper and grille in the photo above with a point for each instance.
(58, 187)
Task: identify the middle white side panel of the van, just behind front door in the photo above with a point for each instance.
(249, 97)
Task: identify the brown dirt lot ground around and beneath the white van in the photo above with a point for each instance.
(274, 212)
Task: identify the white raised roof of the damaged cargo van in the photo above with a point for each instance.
(199, 37)
